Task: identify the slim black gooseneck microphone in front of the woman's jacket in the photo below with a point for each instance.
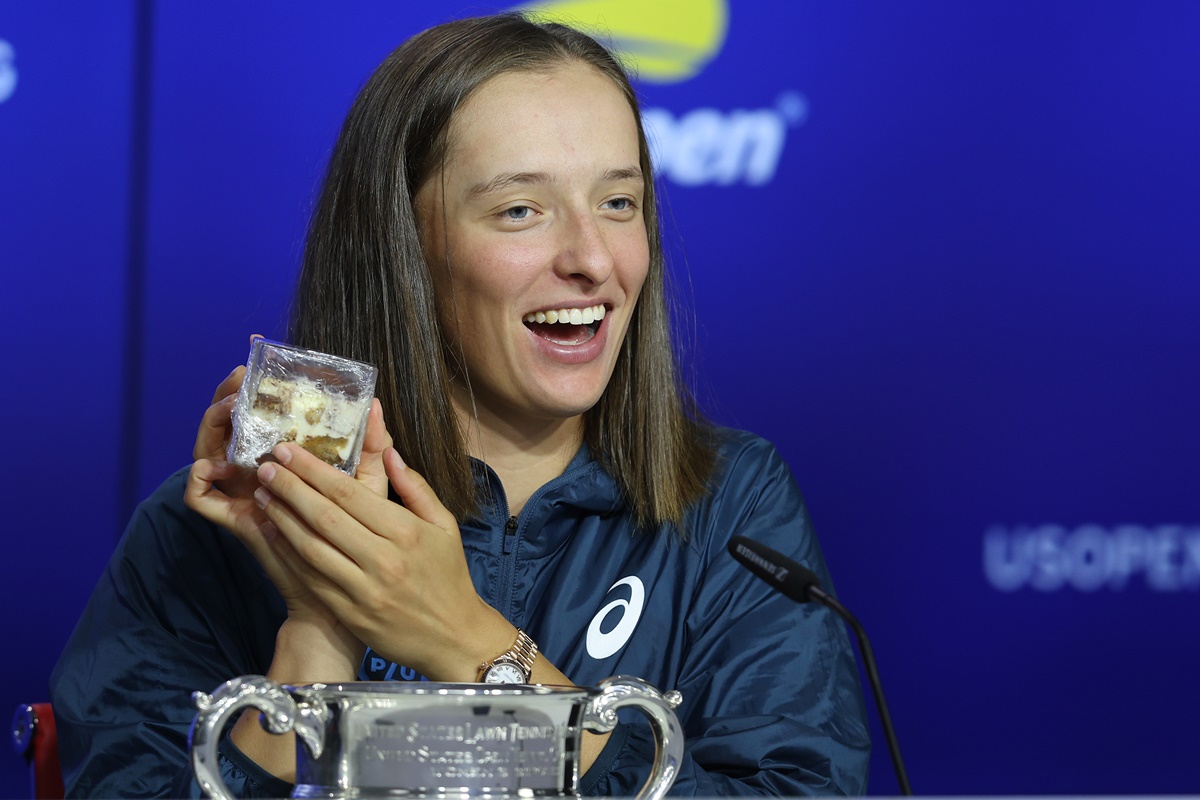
(802, 585)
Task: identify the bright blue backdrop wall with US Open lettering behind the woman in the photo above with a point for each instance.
(944, 254)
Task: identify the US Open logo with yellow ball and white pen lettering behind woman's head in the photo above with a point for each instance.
(662, 46)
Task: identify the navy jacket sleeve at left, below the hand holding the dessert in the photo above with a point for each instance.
(182, 607)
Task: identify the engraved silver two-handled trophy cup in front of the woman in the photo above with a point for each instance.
(436, 741)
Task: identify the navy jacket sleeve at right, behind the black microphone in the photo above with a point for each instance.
(772, 697)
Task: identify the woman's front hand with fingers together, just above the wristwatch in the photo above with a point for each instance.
(394, 575)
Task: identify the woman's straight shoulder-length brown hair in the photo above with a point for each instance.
(365, 290)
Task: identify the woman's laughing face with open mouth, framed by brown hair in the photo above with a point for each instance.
(539, 216)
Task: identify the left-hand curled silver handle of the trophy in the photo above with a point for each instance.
(281, 714)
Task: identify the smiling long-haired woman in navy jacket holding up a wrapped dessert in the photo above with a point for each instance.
(538, 500)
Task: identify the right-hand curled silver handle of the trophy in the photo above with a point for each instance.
(601, 717)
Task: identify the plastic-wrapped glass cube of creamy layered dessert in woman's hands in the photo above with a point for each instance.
(316, 400)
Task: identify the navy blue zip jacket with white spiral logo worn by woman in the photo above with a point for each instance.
(772, 701)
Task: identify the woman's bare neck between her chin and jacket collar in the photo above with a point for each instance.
(525, 455)
